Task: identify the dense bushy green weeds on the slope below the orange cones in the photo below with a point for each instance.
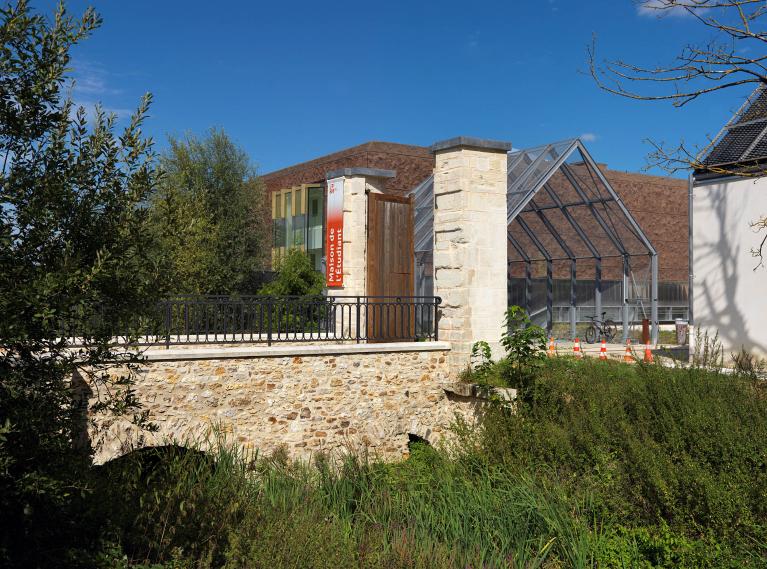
(647, 444)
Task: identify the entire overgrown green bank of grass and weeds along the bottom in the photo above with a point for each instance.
(601, 465)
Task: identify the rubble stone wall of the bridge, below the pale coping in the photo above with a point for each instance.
(306, 403)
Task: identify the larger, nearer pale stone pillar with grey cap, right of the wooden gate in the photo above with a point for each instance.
(470, 243)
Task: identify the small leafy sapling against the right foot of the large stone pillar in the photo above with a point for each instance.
(525, 346)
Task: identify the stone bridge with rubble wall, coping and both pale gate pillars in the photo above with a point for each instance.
(331, 396)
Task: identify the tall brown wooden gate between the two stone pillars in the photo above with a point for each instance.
(390, 268)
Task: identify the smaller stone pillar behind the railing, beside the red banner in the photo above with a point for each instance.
(358, 183)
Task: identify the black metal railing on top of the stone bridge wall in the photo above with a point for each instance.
(254, 319)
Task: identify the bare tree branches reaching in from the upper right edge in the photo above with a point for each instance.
(737, 56)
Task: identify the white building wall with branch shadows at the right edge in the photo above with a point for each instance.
(728, 295)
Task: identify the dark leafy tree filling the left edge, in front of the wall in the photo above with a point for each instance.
(72, 257)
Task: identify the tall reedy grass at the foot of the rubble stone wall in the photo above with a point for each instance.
(227, 509)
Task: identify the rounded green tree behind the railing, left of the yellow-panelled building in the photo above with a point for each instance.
(208, 214)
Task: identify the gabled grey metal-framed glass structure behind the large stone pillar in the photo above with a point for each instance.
(565, 223)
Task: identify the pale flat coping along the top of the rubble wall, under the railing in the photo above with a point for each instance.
(222, 353)
